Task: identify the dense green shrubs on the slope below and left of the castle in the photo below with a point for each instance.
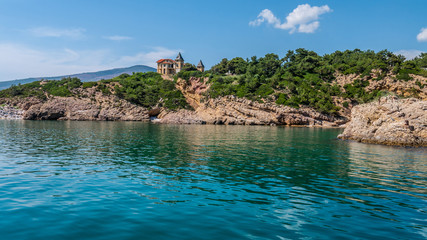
(145, 89)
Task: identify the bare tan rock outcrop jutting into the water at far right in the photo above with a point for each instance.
(390, 121)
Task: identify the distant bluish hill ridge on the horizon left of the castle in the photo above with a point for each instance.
(85, 77)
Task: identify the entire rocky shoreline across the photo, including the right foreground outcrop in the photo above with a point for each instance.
(390, 120)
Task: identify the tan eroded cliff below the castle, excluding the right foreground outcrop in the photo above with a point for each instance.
(232, 110)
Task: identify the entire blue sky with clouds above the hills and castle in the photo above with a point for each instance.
(41, 38)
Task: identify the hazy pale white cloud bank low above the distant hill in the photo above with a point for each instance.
(20, 61)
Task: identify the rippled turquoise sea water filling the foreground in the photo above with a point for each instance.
(131, 180)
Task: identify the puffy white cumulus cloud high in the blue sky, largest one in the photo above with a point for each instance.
(303, 19)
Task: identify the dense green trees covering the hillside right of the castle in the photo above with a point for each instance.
(303, 77)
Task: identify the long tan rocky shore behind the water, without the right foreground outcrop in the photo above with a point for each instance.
(92, 105)
